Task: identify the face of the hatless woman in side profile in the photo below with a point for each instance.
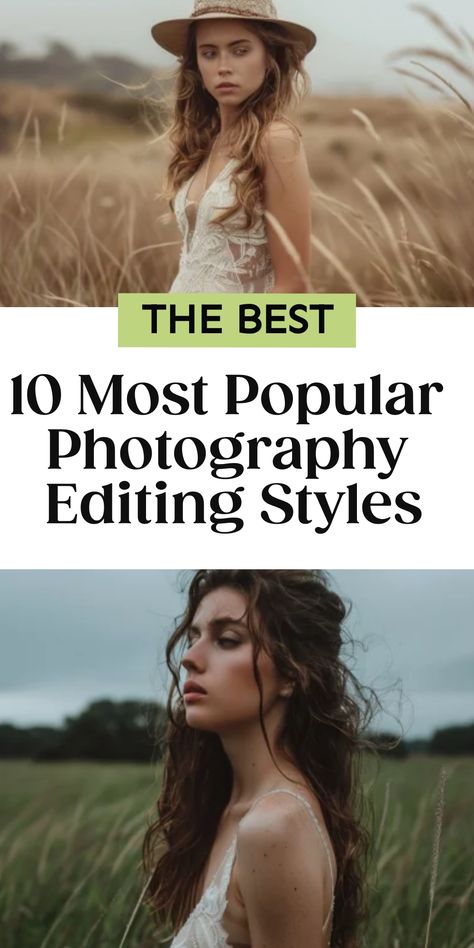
(219, 659)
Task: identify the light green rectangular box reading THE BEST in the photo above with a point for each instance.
(236, 320)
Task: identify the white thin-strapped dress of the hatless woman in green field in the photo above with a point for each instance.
(203, 927)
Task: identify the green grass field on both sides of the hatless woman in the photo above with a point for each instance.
(70, 842)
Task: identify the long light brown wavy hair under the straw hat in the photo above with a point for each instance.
(196, 119)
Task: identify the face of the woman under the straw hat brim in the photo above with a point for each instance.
(228, 52)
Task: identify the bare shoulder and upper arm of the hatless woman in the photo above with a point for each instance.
(283, 878)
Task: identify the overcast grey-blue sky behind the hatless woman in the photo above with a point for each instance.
(68, 637)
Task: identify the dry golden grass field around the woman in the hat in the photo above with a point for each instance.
(81, 217)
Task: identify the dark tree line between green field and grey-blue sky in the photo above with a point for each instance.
(134, 731)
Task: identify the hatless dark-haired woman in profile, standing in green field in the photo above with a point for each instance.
(258, 840)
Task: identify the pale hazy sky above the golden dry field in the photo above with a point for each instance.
(355, 38)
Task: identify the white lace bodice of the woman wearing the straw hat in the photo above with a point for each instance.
(220, 258)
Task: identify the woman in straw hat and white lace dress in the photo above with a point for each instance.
(238, 179)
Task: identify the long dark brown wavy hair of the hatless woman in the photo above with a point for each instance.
(297, 619)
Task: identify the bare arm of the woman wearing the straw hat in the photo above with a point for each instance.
(287, 201)
